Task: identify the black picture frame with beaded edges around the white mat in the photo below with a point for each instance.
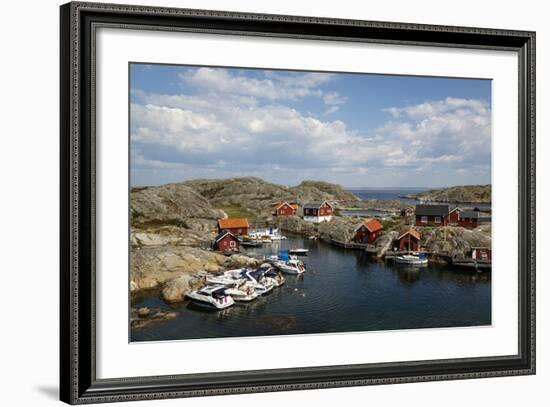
(78, 381)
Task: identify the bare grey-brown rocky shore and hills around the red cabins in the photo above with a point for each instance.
(173, 225)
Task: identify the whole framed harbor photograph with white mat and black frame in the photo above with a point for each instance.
(256, 203)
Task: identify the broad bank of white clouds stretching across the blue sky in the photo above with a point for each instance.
(249, 131)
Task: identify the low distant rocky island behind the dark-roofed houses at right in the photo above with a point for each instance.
(456, 194)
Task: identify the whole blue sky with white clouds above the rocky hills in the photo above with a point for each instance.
(358, 130)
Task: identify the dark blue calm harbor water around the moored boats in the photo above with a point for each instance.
(341, 291)
